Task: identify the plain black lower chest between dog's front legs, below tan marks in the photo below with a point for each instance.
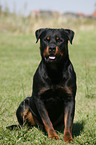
(54, 101)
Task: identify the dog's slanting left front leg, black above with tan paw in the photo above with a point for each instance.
(46, 120)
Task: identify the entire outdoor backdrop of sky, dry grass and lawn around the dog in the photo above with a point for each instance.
(20, 56)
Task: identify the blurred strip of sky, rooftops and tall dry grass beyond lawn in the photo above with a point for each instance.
(25, 16)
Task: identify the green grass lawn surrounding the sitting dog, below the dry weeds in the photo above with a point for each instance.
(19, 58)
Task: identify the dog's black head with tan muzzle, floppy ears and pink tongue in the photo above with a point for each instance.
(54, 43)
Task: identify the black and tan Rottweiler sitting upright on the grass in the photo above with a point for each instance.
(54, 86)
